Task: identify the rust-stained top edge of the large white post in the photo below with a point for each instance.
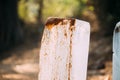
(52, 21)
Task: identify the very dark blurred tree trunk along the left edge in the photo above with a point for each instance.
(9, 29)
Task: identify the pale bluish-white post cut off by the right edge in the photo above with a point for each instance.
(116, 52)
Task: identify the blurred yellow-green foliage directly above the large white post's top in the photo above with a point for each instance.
(59, 8)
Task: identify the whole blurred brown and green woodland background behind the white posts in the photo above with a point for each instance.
(21, 27)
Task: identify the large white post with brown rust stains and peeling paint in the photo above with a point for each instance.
(64, 49)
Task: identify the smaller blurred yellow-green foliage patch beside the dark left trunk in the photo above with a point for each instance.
(28, 10)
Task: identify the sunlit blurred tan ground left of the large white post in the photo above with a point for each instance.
(21, 64)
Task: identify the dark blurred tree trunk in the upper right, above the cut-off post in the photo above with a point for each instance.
(108, 14)
